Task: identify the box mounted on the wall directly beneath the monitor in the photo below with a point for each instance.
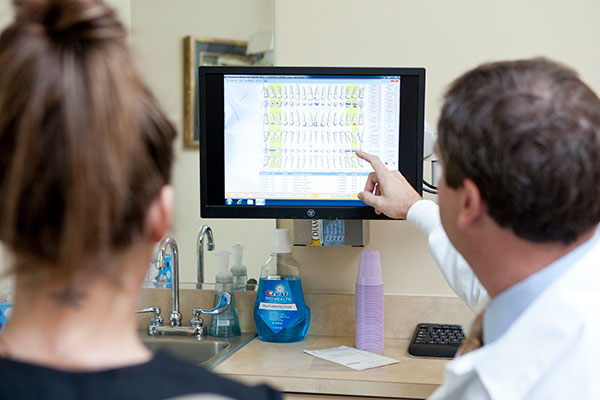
(325, 232)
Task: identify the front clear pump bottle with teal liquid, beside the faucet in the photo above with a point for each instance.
(225, 324)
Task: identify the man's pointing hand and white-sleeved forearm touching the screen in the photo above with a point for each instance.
(391, 194)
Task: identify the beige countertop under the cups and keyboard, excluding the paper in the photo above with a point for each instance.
(286, 367)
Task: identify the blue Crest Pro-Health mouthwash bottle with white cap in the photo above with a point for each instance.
(280, 314)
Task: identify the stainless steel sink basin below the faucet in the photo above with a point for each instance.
(208, 352)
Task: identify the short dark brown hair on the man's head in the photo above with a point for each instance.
(528, 134)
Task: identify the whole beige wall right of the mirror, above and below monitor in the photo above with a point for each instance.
(447, 38)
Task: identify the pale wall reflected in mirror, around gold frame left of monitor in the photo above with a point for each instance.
(157, 31)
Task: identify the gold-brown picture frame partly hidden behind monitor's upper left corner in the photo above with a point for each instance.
(204, 51)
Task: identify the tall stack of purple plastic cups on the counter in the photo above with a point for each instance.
(369, 302)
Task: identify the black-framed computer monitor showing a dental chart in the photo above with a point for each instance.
(280, 142)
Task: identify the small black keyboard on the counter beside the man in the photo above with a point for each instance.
(436, 340)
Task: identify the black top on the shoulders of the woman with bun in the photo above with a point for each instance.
(163, 377)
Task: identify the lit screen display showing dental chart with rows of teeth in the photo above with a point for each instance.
(292, 140)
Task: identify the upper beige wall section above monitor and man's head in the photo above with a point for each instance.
(446, 37)
